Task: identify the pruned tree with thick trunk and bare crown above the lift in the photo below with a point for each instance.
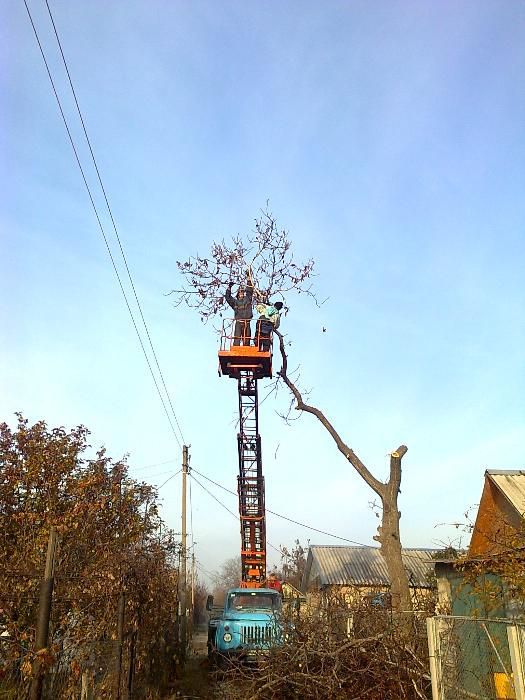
(266, 257)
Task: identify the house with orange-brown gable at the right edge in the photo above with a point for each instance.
(483, 593)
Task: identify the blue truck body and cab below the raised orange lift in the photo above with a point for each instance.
(246, 627)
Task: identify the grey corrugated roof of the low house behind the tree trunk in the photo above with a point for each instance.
(365, 566)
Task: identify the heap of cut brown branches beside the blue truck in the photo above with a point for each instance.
(319, 660)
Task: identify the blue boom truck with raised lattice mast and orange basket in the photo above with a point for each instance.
(248, 623)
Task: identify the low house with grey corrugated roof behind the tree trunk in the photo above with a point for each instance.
(360, 573)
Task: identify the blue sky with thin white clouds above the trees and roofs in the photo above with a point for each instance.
(388, 138)
